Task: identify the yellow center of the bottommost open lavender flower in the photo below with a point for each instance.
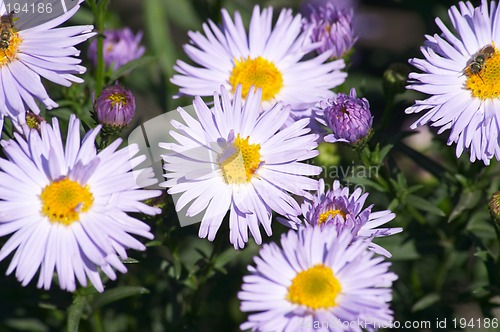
(315, 288)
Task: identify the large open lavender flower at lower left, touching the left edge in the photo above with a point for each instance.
(66, 206)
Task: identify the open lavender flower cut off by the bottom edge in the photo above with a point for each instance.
(318, 276)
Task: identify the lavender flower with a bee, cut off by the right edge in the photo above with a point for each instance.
(460, 73)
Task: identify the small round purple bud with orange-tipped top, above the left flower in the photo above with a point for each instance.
(115, 106)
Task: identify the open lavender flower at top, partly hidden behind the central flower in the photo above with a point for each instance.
(269, 57)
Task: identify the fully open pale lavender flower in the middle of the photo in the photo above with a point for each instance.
(236, 157)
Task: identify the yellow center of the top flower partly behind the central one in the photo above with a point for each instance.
(258, 72)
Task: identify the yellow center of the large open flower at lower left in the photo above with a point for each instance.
(64, 200)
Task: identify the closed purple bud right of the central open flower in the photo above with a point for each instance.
(348, 117)
